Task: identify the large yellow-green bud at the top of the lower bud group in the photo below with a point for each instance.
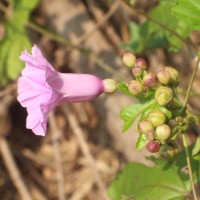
(156, 117)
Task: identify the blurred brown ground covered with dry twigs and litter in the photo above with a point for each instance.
(84, 150)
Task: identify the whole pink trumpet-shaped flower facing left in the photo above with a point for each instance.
(41, 88)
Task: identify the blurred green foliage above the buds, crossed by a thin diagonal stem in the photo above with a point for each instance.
(150, 35)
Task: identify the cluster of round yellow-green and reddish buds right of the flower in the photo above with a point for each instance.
(155, 127)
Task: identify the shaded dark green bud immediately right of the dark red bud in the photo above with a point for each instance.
(169, 150)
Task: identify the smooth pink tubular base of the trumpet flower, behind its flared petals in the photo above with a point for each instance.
(76, 87)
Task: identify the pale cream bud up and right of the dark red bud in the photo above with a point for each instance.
(163, 132)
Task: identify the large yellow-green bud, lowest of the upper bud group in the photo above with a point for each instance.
(163, 95)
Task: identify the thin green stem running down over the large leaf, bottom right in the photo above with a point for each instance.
(189, 165)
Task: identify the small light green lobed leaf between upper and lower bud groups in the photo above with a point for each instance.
(130, 113)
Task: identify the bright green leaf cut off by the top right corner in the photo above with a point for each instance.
(188, 11)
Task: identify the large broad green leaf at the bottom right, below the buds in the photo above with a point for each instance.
(165, 181)
